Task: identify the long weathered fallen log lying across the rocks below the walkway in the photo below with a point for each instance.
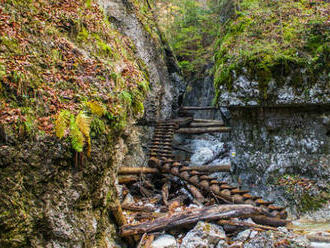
(212, 213)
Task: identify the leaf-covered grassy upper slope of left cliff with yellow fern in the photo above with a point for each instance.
(57, 60)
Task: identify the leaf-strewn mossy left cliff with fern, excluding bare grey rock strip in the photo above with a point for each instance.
(69, 84)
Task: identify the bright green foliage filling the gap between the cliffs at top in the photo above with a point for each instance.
(190, 27)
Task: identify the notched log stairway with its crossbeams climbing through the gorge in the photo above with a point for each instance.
(197, 178)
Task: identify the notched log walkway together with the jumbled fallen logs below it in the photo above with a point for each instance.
(203, 188)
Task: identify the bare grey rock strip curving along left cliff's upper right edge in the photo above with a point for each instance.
(166, 82)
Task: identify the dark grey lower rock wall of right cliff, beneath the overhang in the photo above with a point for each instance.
(283, 152)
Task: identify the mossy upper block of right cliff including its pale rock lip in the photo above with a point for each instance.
(280, 46)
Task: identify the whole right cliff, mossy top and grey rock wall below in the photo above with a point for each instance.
(277, 90)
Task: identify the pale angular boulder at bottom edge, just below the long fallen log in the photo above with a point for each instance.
(204, 235)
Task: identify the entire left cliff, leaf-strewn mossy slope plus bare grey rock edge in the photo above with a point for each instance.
(52, 195)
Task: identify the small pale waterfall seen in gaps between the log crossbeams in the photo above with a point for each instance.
(208, 148)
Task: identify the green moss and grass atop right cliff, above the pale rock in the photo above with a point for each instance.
(270, 39)
